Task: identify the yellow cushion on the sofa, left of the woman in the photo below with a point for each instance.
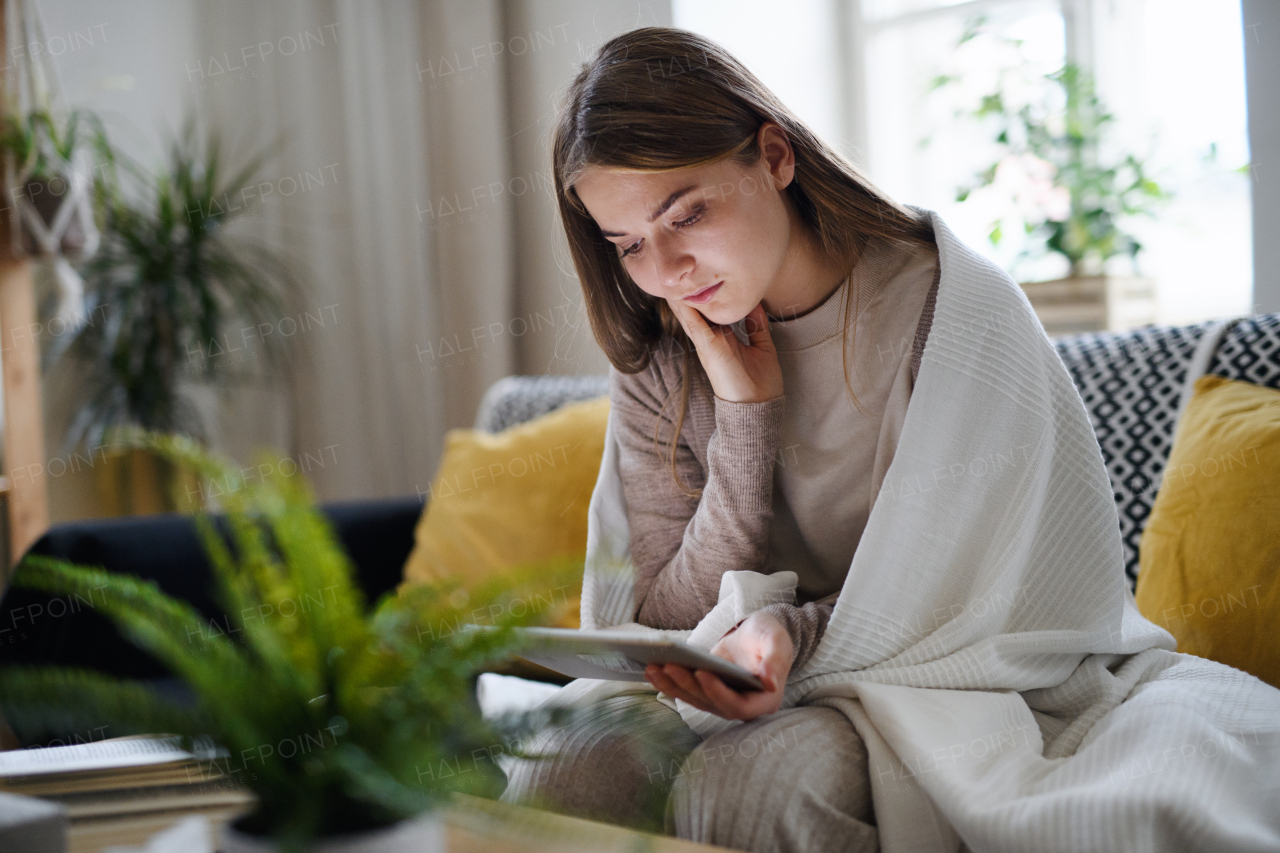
(513, 500)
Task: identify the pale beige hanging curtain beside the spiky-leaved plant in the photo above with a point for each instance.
(371, 147)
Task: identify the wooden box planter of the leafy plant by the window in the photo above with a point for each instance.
(1092, 303)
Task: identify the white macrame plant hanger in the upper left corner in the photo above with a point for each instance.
(54, 211)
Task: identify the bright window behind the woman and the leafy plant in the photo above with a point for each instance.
(1172, 72)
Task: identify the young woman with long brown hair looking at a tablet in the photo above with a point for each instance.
(764, 308)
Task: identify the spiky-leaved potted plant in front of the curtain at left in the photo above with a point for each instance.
(171, 285)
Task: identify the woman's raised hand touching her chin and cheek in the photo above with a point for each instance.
(739, 373)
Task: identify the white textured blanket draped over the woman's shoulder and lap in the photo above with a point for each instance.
(986, 645)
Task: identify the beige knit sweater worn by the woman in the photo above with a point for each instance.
(735, 454)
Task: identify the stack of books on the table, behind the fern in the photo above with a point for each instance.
(125, 790)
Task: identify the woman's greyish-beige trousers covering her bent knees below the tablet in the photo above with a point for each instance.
(790, 782)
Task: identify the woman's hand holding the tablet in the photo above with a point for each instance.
(760, 645)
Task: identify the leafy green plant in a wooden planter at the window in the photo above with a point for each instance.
(1071, 199)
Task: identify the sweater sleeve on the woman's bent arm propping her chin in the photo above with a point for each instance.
(680, 545)
